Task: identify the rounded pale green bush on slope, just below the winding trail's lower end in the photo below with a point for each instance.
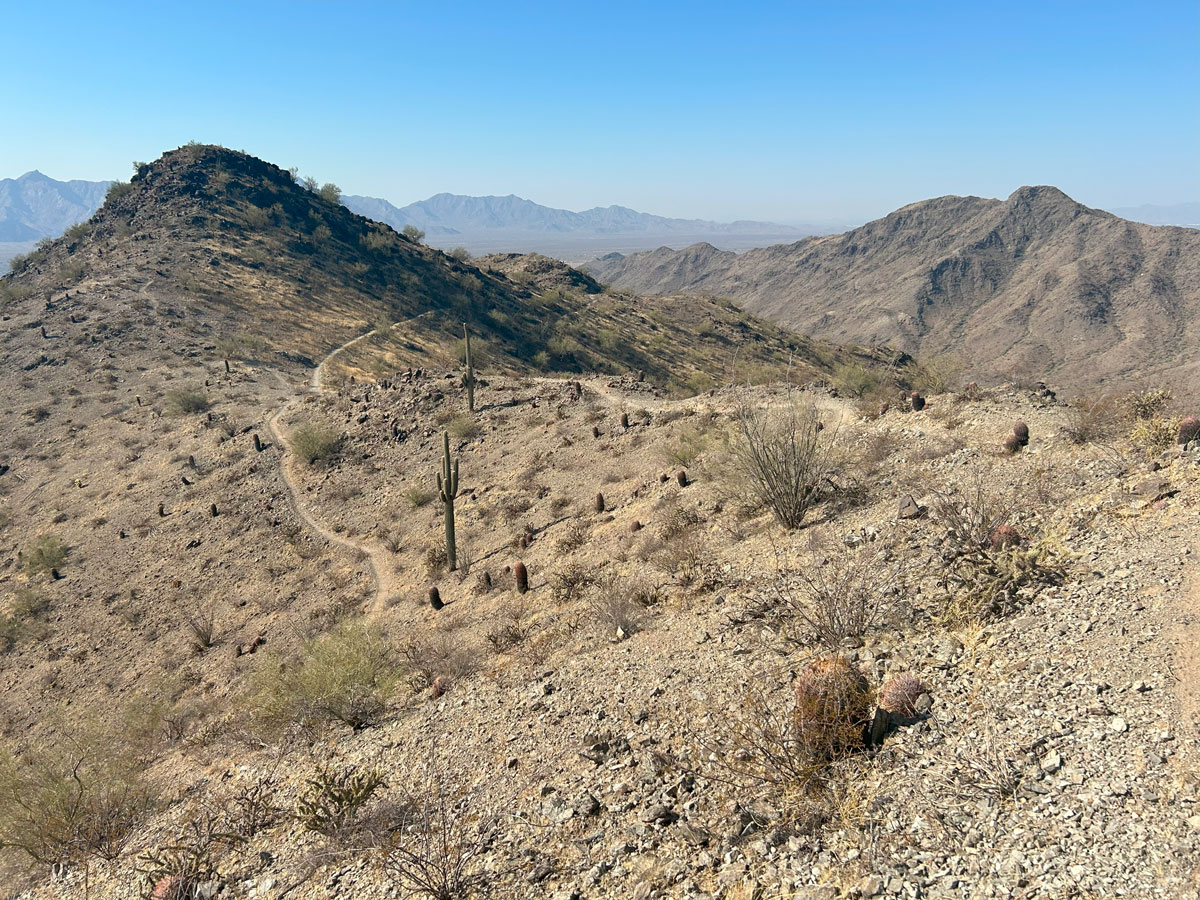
(346, 676)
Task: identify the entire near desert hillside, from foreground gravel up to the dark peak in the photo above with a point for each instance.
(655, 601)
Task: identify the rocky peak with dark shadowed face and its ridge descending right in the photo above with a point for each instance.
(230, 253)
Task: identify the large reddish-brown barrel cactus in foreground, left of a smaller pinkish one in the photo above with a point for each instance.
(832, 701)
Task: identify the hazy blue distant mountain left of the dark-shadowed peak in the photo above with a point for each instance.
(35, 206)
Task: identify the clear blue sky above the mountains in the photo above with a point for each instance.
(831, 112)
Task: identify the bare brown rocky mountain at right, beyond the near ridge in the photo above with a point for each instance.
(1035, 285)
